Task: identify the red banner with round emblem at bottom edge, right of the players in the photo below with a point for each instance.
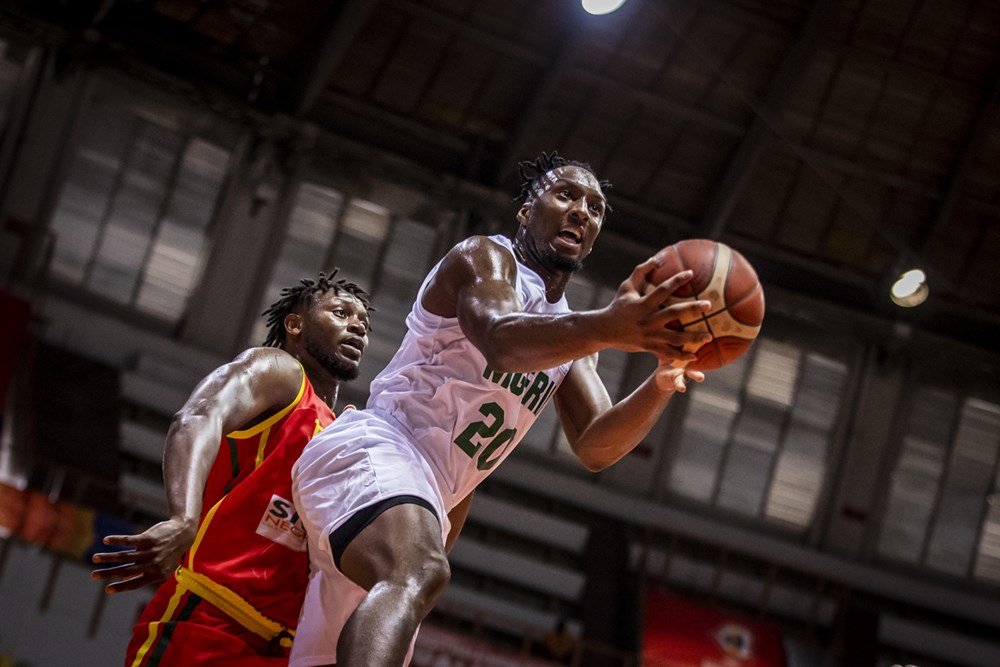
(679, 633)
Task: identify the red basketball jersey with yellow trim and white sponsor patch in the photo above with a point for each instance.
(250, 539)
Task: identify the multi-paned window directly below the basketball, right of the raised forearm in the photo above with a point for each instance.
(757, 439)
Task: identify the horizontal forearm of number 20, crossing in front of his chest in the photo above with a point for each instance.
(522, 342)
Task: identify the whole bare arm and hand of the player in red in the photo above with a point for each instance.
(258, 382)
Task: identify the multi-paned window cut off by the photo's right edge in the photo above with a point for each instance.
(941, 509)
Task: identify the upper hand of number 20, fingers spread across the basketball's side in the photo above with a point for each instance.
(637, 316)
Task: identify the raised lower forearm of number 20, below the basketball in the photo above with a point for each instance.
(618, 431)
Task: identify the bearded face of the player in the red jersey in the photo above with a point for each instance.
(335, 333)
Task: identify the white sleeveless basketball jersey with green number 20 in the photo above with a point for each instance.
(464, 417)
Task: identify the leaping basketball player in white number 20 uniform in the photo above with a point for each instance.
(384, 491)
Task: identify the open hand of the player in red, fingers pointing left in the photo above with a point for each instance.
(154, 555)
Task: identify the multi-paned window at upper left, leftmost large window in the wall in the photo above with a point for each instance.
(132, 216)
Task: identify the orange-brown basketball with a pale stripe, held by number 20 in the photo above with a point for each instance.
(725, 278)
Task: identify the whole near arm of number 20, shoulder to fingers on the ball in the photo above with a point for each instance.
(476, 283)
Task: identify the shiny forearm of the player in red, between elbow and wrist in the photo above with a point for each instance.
(192, 445)
